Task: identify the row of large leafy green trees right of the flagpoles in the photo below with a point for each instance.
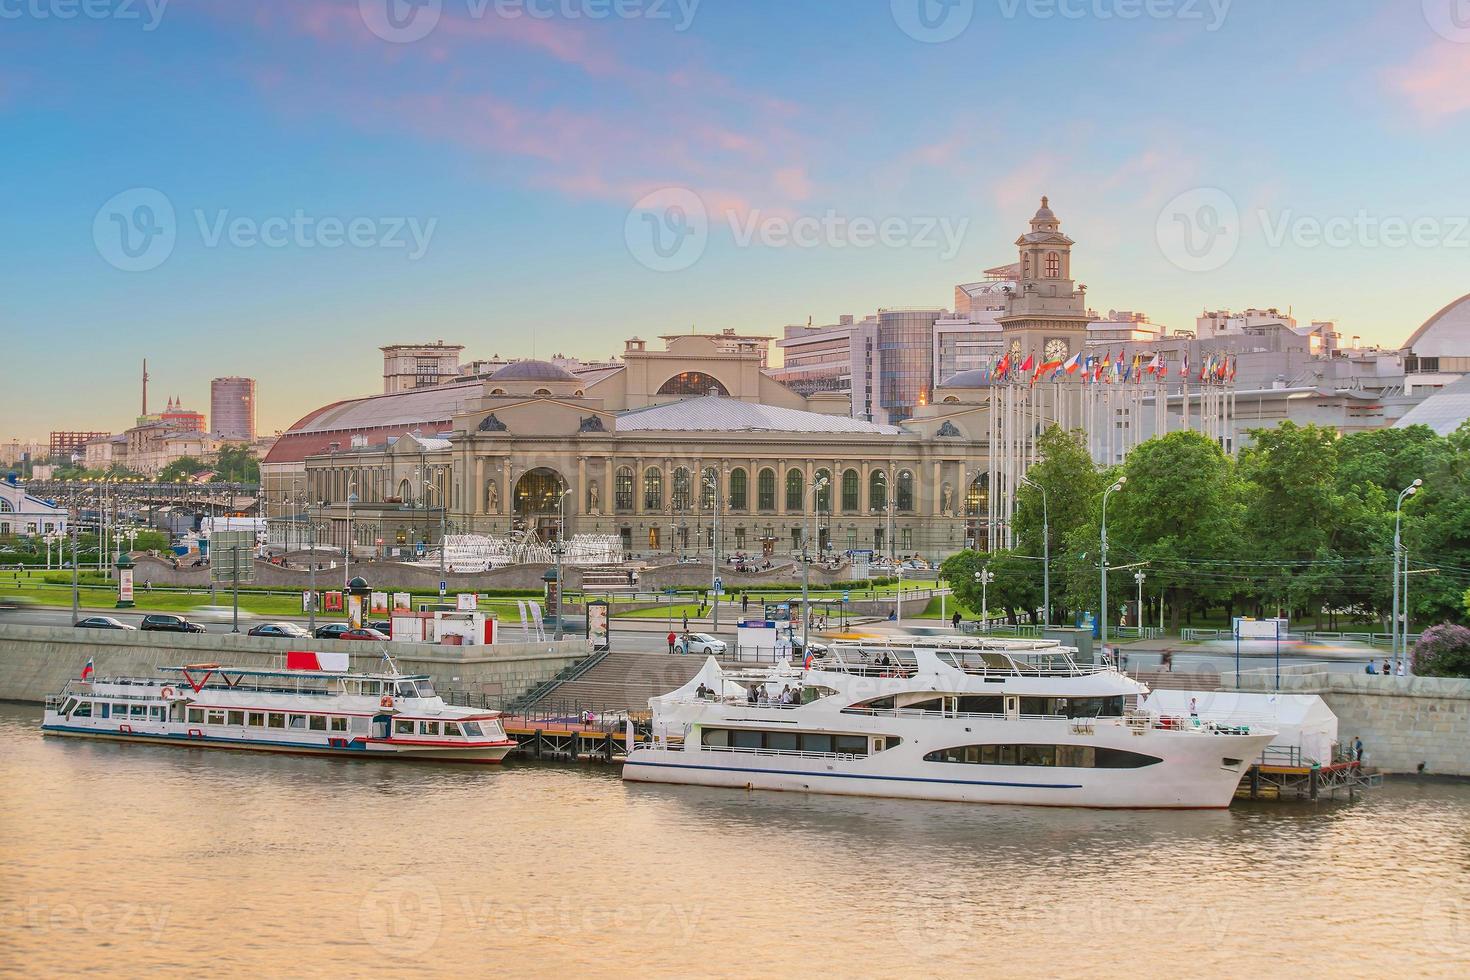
(1300, 525)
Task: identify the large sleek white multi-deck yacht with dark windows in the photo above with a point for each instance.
(1000, 722)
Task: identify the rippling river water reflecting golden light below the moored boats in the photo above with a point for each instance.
(127, 859)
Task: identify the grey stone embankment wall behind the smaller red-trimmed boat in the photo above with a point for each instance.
(39, 660)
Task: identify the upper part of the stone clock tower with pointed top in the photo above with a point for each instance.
(1047, 312)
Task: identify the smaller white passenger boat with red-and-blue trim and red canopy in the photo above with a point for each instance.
(295, 710)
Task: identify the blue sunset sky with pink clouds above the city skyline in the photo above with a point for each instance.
(279, 187)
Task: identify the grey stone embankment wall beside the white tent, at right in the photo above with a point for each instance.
(1405, 722)
